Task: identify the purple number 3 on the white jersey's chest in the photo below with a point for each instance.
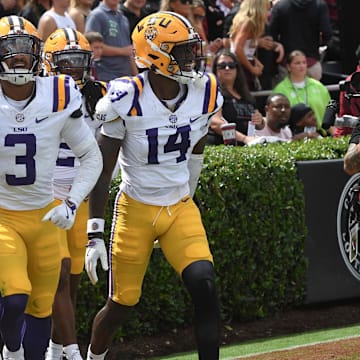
(26, 160)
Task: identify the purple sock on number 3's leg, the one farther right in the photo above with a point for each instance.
(37, 336)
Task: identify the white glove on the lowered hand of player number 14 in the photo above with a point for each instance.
(95, 249)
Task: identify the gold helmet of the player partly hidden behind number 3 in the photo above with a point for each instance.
(66, 51)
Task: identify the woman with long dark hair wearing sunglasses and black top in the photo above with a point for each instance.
(239, 104)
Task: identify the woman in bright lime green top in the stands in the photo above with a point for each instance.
(300, 88)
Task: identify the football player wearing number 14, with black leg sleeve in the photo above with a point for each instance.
(160, 121)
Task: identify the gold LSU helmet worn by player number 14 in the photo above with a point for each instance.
(166, 43)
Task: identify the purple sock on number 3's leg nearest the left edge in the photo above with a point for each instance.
(12, 320)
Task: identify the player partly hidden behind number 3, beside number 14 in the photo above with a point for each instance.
(66, 51)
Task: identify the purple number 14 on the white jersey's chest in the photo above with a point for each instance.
(182, 132)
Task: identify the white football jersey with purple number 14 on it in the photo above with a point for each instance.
(156, 141)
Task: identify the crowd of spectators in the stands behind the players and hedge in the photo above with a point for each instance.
(256, 48)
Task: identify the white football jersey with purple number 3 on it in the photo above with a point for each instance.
(30, 140)
